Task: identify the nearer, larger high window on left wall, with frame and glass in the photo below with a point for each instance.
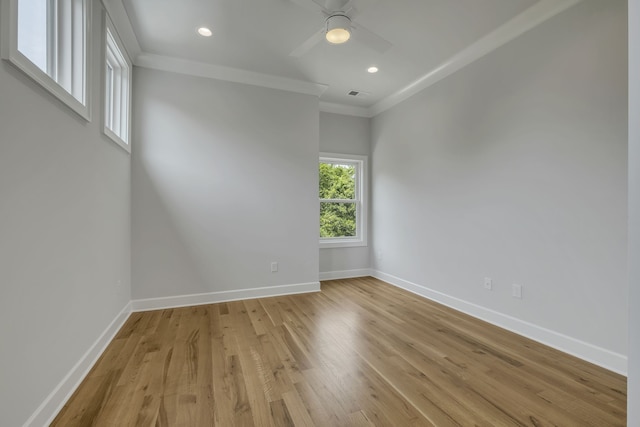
(48, 40)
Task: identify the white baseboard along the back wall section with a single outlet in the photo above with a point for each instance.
(222, 296)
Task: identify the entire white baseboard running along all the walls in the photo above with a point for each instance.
(50, 407)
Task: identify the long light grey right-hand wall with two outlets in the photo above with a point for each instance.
(515, 168)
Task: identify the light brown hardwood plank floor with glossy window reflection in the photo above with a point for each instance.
(359, 353)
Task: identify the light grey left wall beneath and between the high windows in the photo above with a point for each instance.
(64, 237)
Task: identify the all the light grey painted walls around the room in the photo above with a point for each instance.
(532, 135)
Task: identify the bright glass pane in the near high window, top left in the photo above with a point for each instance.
(32, 31)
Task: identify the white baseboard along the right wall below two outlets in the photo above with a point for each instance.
(602, 357)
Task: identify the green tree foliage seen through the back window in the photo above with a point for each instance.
(337, 219)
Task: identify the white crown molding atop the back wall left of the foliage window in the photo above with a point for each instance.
(201, 69)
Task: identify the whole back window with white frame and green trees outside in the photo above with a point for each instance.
(343, 207)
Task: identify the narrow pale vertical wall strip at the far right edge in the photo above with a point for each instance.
(633, 380)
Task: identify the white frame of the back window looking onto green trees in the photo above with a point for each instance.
(361, 191)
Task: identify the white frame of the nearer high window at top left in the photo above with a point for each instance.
(68, 75)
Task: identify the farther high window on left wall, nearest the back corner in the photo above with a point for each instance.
(117, 74)
